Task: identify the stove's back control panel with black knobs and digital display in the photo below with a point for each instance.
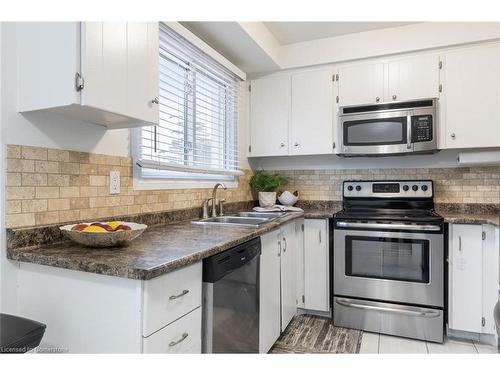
(388, 189)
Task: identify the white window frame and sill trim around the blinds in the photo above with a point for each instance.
(144, 179)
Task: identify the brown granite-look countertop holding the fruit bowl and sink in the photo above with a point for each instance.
(161, 248)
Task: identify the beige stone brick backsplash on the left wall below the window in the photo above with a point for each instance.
(50, 186)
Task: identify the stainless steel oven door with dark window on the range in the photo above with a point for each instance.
(401, 267)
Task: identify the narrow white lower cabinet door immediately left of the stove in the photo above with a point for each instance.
(316, 265)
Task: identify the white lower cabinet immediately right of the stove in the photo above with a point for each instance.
(473, 277)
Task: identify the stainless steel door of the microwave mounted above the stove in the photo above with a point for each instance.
(376, 133)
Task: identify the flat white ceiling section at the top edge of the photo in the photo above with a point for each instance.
(293, 32)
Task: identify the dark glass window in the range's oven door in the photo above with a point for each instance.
(387, 258)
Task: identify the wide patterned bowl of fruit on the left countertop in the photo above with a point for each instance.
(97, 234)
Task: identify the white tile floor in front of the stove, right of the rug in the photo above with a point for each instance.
(384, 344)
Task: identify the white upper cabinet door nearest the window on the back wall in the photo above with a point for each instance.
(269, 115)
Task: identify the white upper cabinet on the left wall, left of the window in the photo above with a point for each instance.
(99, 72)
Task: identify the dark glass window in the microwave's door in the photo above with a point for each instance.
(389, 131)
